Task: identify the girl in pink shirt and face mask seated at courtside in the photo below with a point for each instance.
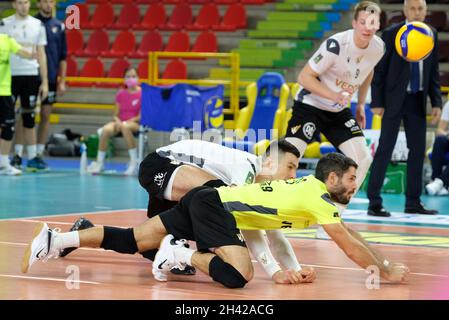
(125, 123)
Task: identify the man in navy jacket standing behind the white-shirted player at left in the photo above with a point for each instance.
(56, 51)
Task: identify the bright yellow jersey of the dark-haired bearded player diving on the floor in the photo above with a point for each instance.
(296, 203)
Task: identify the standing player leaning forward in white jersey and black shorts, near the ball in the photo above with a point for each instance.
(342, 66)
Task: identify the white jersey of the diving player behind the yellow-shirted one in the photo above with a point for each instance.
(232, 166)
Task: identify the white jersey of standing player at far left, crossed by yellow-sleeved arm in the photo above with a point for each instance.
(29, 33)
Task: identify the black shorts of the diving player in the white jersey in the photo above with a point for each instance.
(154, 174)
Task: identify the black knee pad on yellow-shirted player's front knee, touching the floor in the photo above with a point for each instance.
(226, 274)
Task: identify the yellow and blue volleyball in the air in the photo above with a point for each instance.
(414, 41)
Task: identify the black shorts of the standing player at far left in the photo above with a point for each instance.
(27, 89)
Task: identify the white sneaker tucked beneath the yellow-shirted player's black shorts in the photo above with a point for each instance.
(165, 258)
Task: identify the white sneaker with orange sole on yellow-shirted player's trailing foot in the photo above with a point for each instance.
(41, 247)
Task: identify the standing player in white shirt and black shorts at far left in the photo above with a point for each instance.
(26, 83)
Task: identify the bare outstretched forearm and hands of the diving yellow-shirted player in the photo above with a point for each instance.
(361, 255)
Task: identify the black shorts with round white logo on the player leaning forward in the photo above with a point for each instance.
(338, 127)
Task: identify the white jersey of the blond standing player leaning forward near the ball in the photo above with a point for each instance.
(341, 65)
